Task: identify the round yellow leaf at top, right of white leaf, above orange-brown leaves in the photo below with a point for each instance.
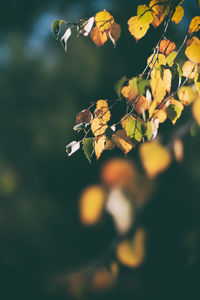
(104, 20)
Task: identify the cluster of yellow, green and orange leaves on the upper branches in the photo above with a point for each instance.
(150, 97)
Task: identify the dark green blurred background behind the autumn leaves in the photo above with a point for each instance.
(41, 90)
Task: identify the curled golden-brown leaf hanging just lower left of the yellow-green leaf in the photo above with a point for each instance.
(122, 141)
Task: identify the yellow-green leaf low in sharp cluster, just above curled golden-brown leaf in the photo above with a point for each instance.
(134, 129)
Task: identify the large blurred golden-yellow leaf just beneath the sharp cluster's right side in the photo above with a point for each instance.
(155, 158)
